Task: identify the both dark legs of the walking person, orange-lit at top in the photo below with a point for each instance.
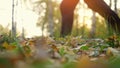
(67, 11)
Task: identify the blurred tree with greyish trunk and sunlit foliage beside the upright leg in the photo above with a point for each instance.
(49, 15)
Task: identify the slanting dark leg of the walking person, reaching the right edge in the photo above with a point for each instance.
(104, 10)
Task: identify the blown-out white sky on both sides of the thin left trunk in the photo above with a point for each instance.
(25, 18)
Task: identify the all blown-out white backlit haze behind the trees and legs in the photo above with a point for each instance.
(27, 18)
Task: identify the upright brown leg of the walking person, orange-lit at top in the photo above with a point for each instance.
(67, 11)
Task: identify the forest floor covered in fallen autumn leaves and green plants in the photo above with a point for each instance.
(69, 52)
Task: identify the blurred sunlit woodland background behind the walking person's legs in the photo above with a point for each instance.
(42, 18)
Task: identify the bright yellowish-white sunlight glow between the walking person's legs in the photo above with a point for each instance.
(85, 15)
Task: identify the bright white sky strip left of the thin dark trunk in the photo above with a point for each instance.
(5, 12)
